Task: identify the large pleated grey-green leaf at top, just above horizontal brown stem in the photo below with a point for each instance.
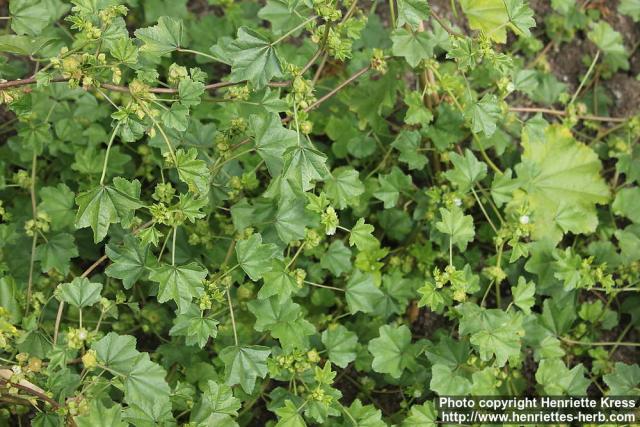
(254, 58)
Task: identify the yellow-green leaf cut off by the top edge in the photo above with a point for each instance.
(488, 16)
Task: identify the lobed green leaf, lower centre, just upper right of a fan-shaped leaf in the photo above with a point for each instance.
(284, 319)
